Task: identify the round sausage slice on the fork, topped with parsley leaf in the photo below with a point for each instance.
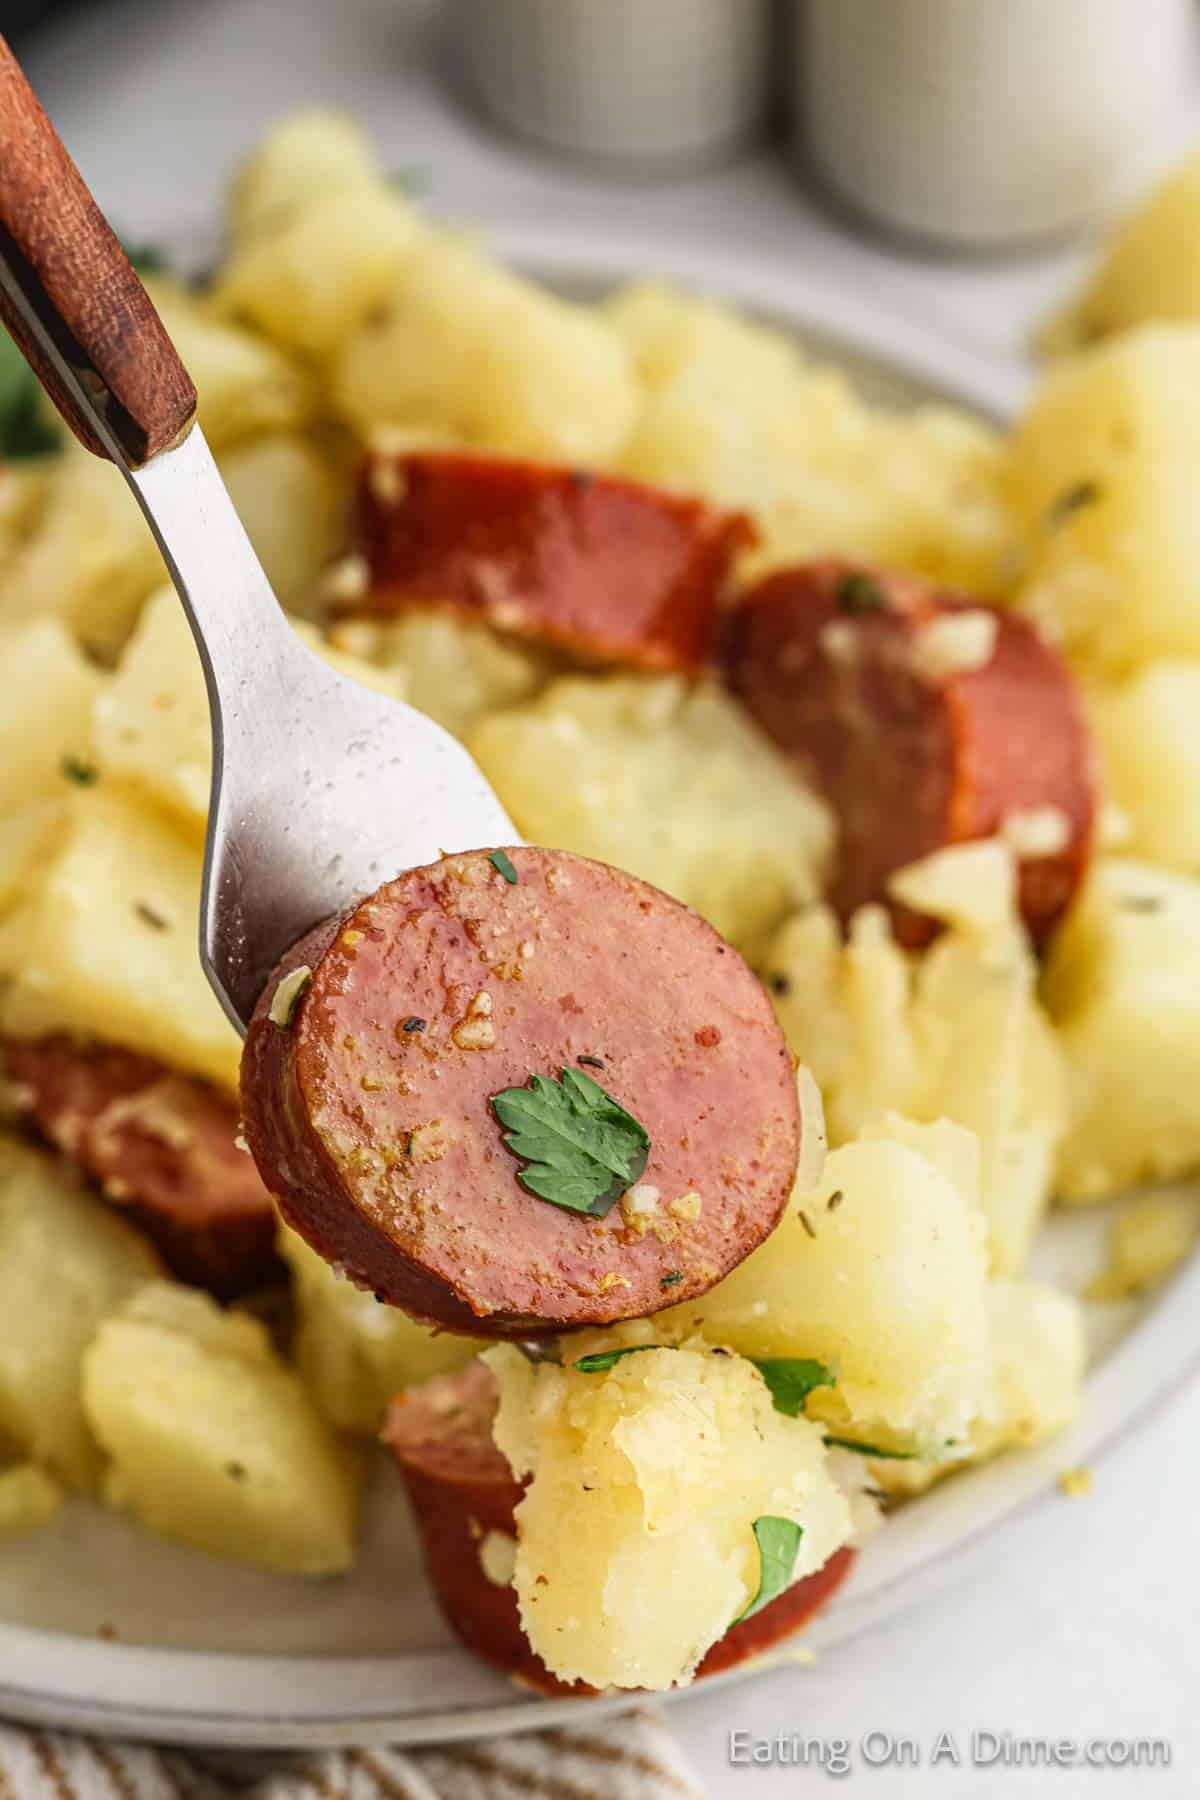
(372, 1111)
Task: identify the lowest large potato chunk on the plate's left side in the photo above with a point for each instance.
(213, 1441)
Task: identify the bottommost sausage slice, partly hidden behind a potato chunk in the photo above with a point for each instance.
(461, 1489)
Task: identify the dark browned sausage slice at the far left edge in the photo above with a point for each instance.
(163, 1147)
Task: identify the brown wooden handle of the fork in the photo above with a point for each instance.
(78, 289)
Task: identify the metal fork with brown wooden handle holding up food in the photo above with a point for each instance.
(321, 789)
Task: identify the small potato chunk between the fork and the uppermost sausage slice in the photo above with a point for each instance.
(449, 667)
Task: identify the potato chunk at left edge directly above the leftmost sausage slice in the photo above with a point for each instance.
(105, 940)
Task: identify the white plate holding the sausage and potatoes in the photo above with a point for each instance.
(208, 1653)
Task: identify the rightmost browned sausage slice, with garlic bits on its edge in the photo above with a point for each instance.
(927, 719)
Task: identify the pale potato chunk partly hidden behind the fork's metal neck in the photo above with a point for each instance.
(152, 721)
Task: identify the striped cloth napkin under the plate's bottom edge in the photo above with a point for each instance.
(631, 1758)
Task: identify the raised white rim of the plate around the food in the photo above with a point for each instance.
(66, 1680)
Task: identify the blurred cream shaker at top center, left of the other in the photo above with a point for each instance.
(643, 84)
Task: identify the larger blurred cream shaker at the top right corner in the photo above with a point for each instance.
(987, 123)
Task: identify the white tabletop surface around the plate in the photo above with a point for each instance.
(1086, 1624)
